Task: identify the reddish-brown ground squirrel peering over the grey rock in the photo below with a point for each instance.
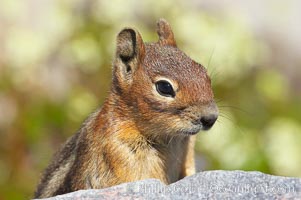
(159, 100)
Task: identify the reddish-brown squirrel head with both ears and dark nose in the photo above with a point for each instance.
(159, 87)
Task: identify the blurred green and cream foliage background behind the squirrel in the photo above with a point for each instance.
(55, 69)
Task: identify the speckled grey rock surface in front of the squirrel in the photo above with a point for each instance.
(203, 185)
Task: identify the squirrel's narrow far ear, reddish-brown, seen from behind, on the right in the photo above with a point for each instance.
(165, 33)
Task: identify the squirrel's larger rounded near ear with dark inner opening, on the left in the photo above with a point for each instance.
(130, 49)
